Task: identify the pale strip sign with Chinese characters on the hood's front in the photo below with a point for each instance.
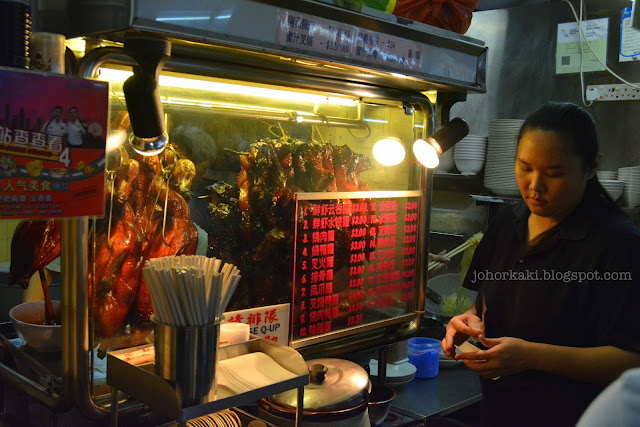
(311, 33)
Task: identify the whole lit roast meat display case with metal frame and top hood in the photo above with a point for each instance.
(270, 166)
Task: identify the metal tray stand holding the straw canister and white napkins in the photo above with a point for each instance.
(141, 383)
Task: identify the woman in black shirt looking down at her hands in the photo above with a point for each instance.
(558, 281)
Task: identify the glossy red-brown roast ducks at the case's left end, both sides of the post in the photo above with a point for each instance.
(147, 217)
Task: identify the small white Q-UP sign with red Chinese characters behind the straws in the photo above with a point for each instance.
(269, 322)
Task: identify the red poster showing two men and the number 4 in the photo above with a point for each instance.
(52, 145)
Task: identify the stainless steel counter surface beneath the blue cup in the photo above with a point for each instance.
(452, 390)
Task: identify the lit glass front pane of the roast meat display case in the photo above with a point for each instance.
(259, 162)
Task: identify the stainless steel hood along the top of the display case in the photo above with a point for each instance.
(300, 36)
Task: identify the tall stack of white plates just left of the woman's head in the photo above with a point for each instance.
(499, 175)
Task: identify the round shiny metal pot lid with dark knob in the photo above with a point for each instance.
(334, 384)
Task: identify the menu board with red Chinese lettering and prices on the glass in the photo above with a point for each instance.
(355, 263)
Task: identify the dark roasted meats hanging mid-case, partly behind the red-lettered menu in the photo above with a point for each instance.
(252, 224)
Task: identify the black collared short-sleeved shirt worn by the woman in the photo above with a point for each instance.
(579, 286)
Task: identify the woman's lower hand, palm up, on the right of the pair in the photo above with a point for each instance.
(505, 356)
